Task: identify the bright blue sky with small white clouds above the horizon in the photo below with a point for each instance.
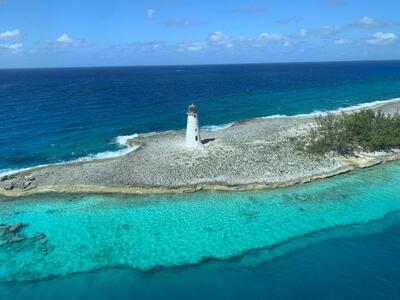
(74, 33)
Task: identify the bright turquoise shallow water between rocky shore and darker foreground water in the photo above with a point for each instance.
(149, 233)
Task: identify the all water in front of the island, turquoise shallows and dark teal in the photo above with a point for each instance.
(337, 238)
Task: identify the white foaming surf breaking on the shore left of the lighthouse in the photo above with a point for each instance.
(121, 141)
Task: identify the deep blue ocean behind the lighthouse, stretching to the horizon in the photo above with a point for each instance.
(57, 115)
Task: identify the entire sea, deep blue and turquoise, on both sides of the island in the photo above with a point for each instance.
(337, 238)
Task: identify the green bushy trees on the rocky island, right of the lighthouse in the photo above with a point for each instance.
(345, 133)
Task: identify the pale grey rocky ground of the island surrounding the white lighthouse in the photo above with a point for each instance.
(250, 155)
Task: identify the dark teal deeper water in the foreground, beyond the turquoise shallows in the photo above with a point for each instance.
(355, 262)
